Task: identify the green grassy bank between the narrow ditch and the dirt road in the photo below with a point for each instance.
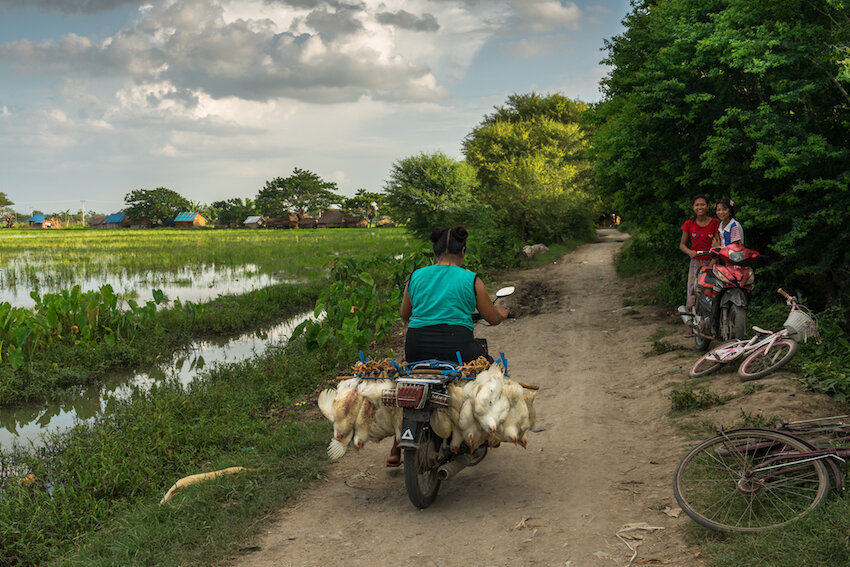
(95, 497)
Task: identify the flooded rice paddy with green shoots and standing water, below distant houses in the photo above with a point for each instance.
(193, 265)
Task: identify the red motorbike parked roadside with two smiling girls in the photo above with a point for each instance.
(722, 296)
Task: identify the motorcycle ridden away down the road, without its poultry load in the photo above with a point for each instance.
(427, 457)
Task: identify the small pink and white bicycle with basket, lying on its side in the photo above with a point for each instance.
(766, 351)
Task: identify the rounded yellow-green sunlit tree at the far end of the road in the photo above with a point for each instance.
(530, 160)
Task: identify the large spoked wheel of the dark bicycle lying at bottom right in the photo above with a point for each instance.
(725, 483)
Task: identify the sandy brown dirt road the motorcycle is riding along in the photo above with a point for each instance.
(603, 457)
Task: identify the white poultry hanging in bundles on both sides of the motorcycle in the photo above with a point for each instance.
(488, 408)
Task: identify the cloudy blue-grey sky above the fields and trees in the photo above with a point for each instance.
(211, 98)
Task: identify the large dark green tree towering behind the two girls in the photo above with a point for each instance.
(740, 98)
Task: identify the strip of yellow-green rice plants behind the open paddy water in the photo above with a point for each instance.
(60, 258)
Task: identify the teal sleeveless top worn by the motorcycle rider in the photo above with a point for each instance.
(442, 295)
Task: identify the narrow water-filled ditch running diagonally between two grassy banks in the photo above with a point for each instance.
(25, 425)
